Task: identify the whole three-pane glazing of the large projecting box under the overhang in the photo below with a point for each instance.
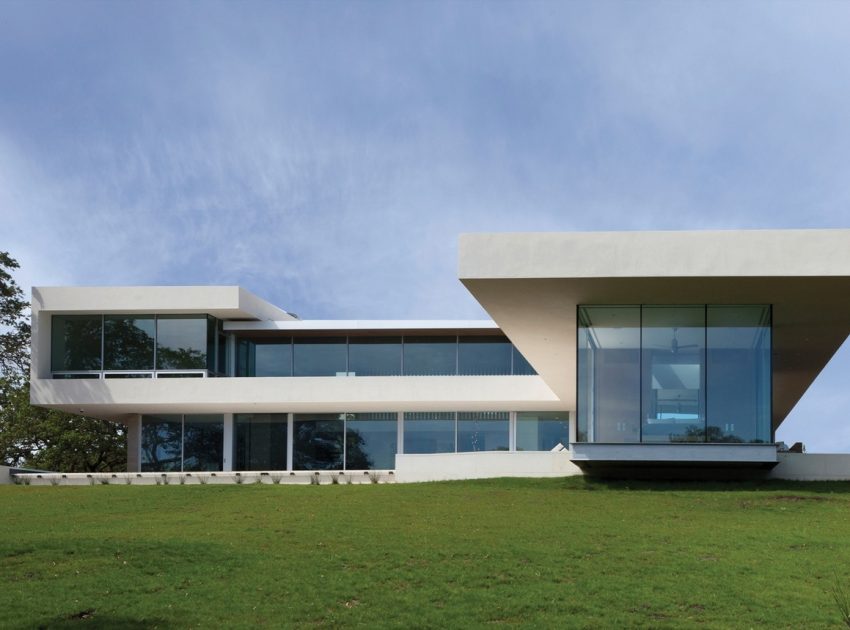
(674, 374)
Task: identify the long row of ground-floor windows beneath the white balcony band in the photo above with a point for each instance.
(337, 441)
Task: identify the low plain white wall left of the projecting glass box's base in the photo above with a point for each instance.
(485, 465)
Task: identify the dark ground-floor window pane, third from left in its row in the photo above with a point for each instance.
(260, 441)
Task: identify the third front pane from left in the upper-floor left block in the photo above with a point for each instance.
(181, 342)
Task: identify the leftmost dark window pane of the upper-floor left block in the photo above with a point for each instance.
(75, 342)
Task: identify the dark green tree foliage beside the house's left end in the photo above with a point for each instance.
(41, 438)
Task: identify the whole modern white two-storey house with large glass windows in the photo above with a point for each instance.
(607, 352)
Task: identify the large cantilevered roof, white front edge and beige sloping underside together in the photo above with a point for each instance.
(532, 283)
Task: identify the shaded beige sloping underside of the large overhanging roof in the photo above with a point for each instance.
(811, 319)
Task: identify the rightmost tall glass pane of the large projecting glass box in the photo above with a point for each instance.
(738, 374)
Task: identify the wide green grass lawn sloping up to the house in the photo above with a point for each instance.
(543, 553)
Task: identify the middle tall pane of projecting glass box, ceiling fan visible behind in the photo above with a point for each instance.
(673, 342)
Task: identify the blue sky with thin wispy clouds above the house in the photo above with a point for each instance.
(325, 155)
